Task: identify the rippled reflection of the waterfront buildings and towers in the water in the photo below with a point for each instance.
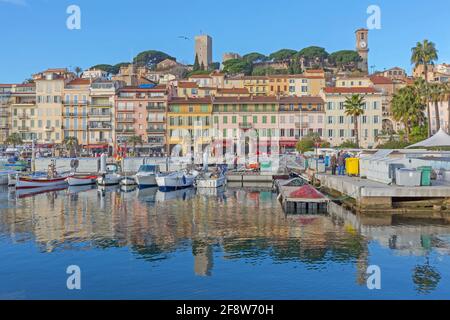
(246, 224)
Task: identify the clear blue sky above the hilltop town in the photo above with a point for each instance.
(35, 37)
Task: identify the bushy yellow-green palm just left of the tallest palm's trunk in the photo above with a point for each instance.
(407, 108)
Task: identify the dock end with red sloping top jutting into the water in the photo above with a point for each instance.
(302, 200)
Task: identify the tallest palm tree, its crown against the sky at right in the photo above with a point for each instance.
(424, 54)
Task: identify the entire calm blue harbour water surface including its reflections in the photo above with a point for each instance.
(237, 244)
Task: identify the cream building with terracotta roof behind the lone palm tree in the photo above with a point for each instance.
(340, 128)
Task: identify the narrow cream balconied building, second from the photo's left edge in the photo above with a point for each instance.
(24, 113)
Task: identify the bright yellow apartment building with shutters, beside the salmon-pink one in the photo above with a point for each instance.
(189, 124)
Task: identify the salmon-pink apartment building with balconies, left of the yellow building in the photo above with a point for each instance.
(141, 111)
